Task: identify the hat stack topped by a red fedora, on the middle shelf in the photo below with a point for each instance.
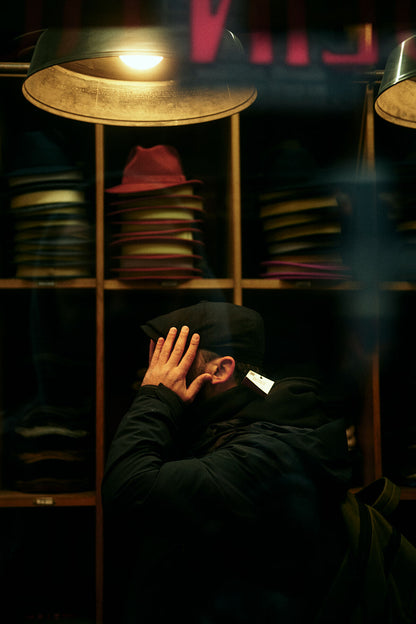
(155, 218)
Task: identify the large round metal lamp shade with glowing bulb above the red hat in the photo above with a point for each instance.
(78, 74)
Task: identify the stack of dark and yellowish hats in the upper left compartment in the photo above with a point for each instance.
(49, 211)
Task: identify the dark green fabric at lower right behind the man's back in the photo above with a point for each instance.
(376, 582)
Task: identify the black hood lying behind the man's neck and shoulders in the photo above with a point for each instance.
(297, 411)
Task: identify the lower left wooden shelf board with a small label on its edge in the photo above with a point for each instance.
(10, 498)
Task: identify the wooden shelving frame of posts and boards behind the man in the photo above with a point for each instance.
(234, 286)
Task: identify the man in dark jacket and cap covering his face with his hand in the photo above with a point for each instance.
(222, 497)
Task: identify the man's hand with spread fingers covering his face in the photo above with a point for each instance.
(169, 365)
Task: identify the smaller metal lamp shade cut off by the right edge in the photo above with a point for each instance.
(396, 100)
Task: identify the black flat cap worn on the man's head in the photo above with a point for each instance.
(224, 328)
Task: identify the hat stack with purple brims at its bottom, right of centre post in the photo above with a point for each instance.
(300, 218)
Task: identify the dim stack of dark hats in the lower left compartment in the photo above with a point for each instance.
(48, 430)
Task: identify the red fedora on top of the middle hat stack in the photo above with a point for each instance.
(152, 168)
